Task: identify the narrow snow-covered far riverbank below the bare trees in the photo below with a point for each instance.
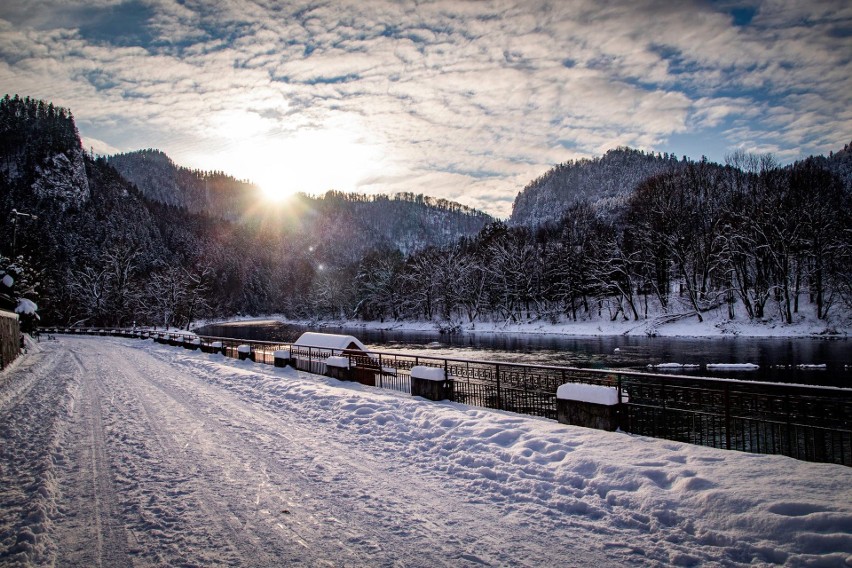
(682, 325)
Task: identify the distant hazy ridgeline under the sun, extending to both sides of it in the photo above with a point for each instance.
(346, 222)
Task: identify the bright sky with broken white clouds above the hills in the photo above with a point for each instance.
(463, 100)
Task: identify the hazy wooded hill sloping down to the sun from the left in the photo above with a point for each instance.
(161, 180)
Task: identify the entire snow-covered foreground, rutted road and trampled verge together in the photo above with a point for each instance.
(119, 452)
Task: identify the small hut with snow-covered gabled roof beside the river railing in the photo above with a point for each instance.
(312, 349)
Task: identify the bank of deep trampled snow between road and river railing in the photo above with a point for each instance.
(641, 501)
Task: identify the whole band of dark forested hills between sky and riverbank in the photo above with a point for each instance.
(751, 239)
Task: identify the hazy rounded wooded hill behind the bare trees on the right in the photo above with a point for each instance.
(605, 182)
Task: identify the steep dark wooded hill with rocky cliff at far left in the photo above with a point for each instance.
(65, 217)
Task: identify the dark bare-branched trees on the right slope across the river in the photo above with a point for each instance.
(749, 241)
